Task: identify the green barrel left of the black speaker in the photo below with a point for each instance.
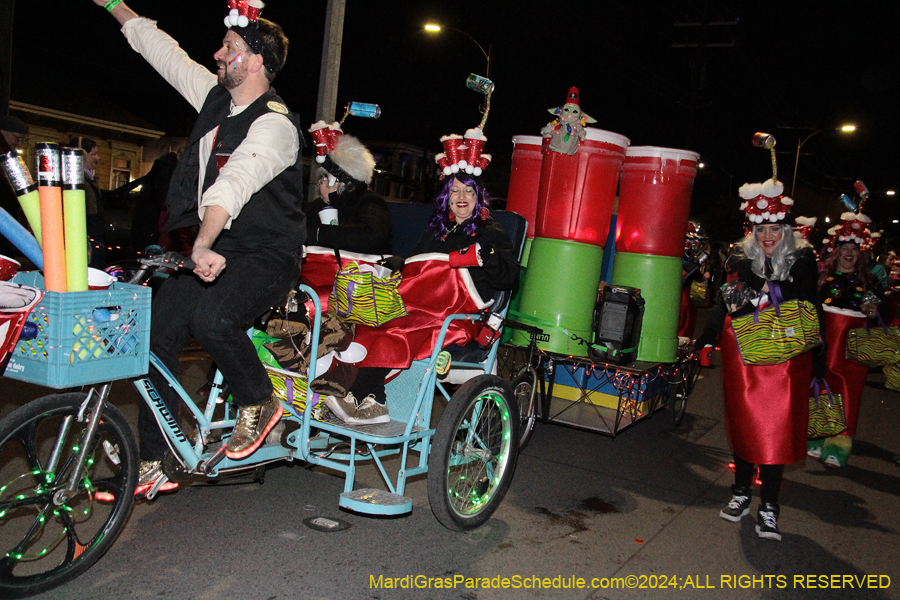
(559, 293)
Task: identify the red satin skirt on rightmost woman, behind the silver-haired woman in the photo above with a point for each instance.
(843, 376)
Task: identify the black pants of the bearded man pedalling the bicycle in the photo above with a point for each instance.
(217, 315)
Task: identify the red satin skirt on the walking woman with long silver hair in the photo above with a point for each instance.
(766, 407)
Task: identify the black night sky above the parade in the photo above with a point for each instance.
(786, 65)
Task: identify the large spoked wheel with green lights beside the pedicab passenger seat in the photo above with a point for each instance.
(473, 453)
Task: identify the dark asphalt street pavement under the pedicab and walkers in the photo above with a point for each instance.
(638, 510)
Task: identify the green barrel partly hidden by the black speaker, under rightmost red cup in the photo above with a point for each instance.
(659, 279)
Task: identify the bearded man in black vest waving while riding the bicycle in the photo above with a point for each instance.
(240, 179)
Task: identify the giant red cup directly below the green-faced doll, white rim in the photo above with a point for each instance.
(577, 193)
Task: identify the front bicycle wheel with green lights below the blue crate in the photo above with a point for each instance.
(48, 537)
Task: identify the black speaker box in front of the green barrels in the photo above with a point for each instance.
(617, 325)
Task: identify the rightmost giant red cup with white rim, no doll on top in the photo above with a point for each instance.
(655, 200)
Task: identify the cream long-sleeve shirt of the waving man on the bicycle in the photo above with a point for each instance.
(271, 145)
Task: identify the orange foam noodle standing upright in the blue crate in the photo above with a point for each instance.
(50, 193)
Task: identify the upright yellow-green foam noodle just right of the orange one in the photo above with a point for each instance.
(74, 219)
